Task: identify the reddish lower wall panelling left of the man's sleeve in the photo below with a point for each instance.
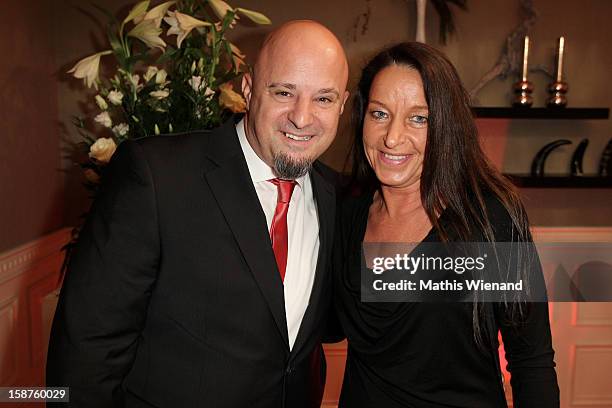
(28, 276)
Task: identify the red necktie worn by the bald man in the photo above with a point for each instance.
(278, 229)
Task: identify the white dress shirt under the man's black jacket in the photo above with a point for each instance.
(303, 233)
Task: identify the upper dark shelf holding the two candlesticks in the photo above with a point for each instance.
(541, 113)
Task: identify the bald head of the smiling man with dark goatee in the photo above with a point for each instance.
(295, 96)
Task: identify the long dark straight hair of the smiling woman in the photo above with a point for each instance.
(456, 173)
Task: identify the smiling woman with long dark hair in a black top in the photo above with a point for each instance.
(424, 178)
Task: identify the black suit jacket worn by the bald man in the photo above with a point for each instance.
(173, 298)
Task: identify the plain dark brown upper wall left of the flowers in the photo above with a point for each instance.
(31, 181)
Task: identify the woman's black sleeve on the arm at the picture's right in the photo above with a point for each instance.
(527, 339)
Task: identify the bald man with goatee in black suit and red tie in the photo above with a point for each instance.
(200, 277)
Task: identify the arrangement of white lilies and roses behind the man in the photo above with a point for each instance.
(173, 72)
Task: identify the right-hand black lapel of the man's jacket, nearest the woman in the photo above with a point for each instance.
(326, 205)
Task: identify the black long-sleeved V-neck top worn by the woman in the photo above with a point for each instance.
(424, 355)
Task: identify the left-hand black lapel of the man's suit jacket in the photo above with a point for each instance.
(227, 175)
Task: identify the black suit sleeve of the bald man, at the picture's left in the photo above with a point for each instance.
(105, 295)
